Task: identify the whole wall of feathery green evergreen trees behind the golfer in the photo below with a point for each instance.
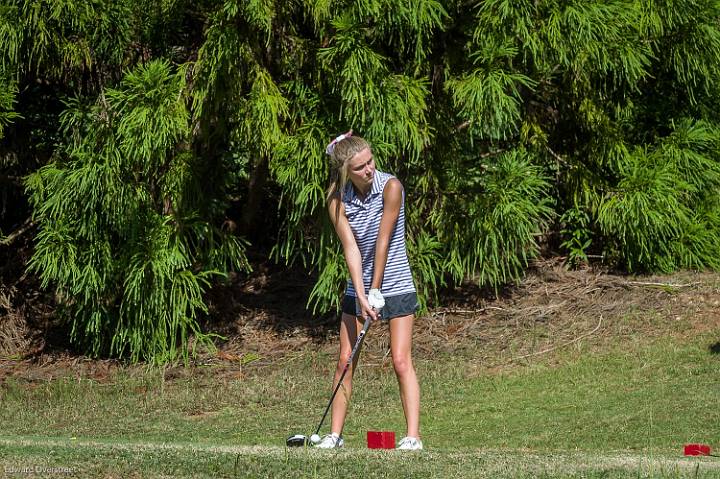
(584, 127)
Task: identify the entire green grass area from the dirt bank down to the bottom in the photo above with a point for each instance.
(622, 411)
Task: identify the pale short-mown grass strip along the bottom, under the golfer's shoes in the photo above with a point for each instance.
(146, 459)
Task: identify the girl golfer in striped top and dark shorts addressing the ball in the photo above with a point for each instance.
(367, 208)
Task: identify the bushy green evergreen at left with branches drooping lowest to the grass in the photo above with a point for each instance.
(124, 235)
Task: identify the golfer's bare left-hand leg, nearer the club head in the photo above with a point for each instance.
(349, 327)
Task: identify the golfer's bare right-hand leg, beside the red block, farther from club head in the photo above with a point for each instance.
(401, 349)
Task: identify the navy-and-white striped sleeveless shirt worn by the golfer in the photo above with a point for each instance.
(364, 217)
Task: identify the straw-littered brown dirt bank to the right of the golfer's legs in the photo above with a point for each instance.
(553, 307)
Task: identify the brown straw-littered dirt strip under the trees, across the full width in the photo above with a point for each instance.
(265, 323)
